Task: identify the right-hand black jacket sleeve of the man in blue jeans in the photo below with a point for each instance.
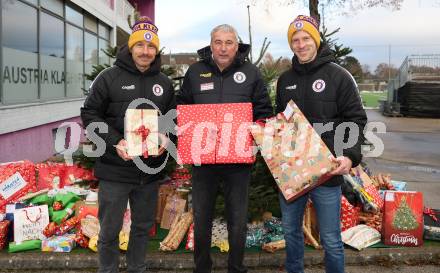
(351, 110)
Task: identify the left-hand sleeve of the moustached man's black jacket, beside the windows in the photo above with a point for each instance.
(94, 109)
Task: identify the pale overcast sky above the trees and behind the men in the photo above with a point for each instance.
(184, 26)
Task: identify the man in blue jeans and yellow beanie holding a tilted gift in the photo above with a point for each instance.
(328, 96)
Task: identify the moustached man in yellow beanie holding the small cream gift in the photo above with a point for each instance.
(136, 74)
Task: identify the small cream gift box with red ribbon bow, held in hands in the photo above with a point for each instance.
(141, 132)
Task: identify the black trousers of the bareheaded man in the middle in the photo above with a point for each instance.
(206, 180)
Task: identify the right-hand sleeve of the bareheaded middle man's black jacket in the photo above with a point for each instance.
(260, 99)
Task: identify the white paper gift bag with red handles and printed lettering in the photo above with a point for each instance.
(30, 222)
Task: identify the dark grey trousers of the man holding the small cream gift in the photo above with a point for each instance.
(113, 198)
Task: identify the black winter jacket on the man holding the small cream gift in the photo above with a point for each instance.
(110, 94)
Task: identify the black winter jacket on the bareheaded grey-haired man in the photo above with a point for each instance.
(240, 82)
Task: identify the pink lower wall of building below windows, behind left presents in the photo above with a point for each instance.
(35, 144)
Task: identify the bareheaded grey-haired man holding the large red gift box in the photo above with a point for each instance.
(223, 76)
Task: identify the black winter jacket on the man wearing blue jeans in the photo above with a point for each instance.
(325, 92)
